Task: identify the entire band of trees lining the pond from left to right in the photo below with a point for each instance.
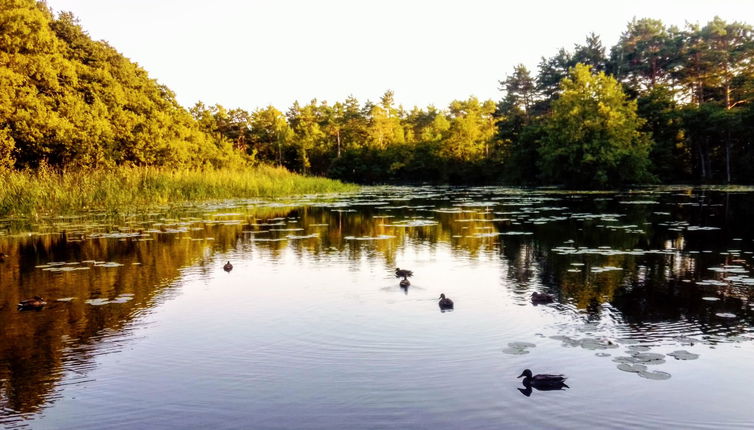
(663, 105)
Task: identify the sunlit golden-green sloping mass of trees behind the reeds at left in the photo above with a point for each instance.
(66, 100)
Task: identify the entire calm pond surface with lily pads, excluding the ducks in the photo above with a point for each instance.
(310, 330)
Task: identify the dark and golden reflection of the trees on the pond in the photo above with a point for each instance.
(647, 269)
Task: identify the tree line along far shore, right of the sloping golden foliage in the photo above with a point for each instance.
(665, 104)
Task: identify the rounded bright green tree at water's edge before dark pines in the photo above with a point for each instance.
(593, 135)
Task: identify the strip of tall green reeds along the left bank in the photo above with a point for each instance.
(48, 192)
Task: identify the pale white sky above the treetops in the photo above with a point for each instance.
(250, 53)
